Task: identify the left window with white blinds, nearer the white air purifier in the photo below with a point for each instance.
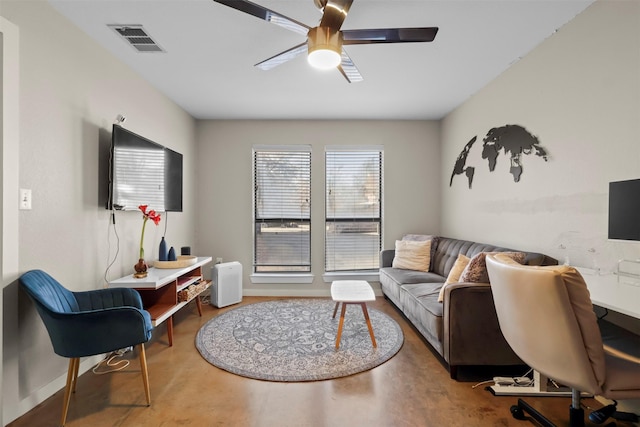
(282, 209)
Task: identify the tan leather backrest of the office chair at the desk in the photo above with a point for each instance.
(546, 316)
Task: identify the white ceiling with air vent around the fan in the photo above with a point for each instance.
(211, 49)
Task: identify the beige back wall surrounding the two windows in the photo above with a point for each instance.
(411, 184)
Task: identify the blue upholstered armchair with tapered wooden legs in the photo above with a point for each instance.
(88, 323)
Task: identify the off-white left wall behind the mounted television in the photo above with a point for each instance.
(70, 91)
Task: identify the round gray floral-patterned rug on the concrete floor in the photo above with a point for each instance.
(294, 340)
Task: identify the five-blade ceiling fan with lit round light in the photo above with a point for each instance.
(325, 42)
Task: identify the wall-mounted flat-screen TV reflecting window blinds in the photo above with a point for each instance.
(143, 172)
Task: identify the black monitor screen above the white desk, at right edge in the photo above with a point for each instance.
(624, 210)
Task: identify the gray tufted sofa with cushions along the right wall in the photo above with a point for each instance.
(463, 328)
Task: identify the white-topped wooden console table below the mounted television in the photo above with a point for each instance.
(159, 290)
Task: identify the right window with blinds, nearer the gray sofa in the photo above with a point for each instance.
(353, 205)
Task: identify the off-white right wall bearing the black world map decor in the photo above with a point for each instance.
(579, 93)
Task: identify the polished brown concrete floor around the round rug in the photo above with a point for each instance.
(411, 389)
